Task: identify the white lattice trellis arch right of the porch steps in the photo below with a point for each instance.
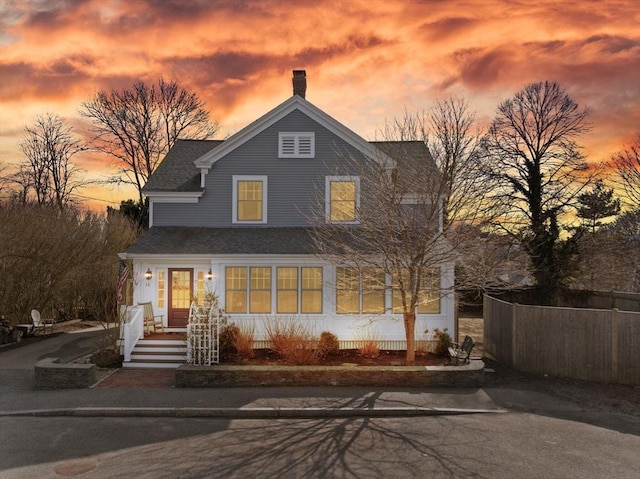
(203, 335)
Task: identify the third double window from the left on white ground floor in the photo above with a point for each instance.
(360, 293)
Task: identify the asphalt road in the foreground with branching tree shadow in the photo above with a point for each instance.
(512, 445)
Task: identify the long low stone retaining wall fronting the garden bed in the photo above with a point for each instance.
(468, 376)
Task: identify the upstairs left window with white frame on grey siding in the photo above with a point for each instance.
(249, 199)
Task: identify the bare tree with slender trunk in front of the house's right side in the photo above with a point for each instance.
(398, 230)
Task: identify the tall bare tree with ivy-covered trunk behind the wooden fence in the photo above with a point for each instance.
(537, 171)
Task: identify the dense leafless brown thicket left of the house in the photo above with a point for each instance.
(53, 259)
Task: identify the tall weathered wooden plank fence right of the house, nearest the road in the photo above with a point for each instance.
(589, 344)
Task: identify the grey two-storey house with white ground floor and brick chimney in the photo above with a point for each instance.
(232, 217)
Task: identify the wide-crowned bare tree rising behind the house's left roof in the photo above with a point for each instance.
(137, 126)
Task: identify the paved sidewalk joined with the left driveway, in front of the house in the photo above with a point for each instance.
(150, 393)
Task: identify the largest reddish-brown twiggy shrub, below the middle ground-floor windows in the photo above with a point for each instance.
(292, 340)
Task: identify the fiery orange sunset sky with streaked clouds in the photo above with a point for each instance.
(366, 61)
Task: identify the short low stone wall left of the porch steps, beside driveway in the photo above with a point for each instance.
(51, 374)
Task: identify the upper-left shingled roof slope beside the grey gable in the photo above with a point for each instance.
(177, 172)
